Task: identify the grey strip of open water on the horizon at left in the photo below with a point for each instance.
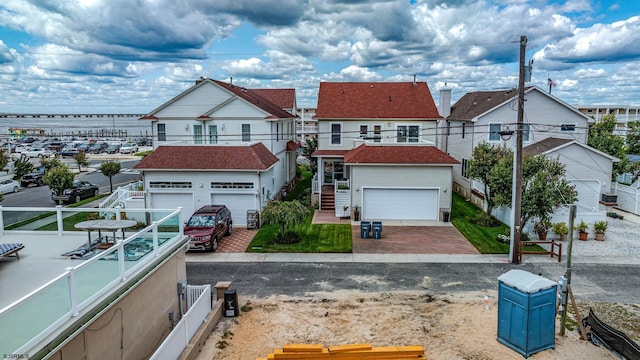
(98, 125)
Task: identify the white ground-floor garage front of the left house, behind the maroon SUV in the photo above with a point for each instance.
(201, 193)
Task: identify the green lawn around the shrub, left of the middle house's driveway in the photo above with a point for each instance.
(316, 238)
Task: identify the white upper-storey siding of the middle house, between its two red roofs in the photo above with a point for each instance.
(351, 131)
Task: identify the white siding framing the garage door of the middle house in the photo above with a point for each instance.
(401, 177)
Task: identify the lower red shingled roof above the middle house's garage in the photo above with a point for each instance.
(382, 154)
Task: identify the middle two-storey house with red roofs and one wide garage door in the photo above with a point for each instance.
(376, 152)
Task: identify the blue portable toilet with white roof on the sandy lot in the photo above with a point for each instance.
(526, 312)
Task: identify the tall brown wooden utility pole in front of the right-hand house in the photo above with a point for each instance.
(516, 194)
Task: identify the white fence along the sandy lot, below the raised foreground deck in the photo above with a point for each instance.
(173, 346)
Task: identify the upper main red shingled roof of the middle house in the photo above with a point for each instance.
(375, 100)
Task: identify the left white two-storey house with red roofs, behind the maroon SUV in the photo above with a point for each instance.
(223, 119)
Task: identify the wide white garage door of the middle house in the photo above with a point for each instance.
(400, 204)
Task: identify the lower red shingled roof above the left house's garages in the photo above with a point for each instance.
(203, 157)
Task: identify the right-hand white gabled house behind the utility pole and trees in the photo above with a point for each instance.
(551, 127)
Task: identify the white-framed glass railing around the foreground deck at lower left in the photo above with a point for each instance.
(46, 311)
